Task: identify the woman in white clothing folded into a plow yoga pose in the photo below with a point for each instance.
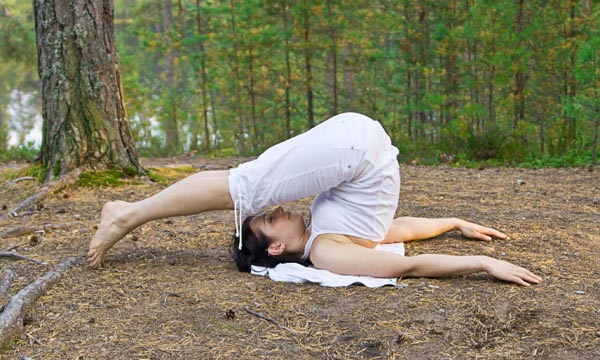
(350, 163)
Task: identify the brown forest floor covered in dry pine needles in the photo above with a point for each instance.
(170, 290)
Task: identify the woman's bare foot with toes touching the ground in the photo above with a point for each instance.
(113, 226)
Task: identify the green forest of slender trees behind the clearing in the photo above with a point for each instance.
(509, 82)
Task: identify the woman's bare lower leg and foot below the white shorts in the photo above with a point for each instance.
(195, 194)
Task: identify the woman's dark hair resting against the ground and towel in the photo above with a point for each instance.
(254, 249)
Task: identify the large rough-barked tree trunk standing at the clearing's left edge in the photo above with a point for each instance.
(85, 123)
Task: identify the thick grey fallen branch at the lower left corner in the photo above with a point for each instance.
(11, 318)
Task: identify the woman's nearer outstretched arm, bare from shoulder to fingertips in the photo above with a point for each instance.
(351, 259)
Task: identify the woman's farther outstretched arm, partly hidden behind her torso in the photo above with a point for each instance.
(412, 228)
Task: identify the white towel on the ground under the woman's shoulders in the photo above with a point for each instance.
(296, 273)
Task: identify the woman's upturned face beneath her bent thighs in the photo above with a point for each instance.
(281, 226)
